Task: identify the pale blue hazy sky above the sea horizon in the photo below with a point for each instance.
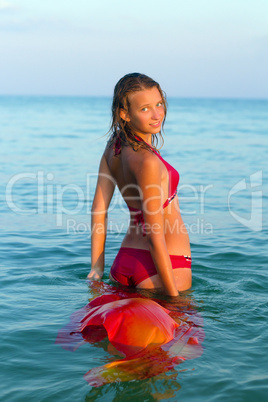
(193, 48)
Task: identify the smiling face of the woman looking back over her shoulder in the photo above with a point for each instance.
(146, 111)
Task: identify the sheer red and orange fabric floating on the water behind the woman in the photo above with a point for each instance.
(149, 337)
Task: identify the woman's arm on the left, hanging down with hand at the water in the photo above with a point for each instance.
(99, 212)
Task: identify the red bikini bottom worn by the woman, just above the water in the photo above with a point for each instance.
(132, 265)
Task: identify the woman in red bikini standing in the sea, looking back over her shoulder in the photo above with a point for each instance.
(155, 252)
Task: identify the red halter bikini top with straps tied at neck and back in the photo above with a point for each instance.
(174, 178)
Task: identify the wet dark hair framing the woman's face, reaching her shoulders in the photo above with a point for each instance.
(120, 131)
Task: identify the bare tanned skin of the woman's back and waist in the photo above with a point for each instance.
(124, 169)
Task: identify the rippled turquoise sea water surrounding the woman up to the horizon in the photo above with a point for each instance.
(50, 150)
